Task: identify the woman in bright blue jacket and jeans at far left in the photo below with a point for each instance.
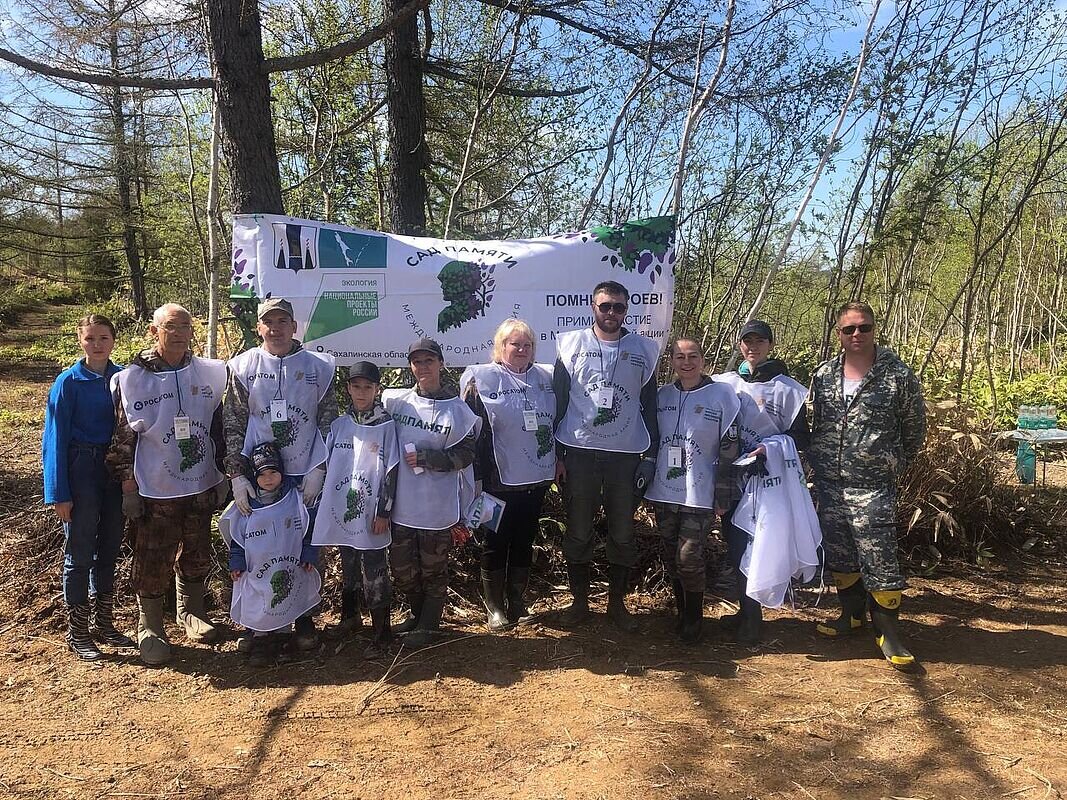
(79, 422)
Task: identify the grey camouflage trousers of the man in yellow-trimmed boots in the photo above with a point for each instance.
(859, 533)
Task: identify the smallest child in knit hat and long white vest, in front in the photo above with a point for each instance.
(272, 556)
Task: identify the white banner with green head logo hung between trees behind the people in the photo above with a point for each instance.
(364, 296)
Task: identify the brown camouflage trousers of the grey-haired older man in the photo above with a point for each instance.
(172, 537)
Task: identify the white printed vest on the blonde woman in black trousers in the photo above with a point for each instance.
(522, 457)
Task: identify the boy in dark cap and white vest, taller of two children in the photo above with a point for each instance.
(357, 501)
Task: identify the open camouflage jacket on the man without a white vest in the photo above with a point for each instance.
(871, 441)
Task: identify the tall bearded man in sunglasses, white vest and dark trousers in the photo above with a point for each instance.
(608, 431)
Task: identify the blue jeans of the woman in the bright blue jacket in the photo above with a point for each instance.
(95, 532)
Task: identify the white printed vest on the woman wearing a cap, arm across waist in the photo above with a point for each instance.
(432, 501)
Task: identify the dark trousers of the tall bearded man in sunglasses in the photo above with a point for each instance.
(597, 478)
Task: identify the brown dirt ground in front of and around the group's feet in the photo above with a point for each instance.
(540, 712)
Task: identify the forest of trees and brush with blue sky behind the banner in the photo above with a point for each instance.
(930, 134)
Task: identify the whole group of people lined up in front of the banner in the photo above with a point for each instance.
(393, 479)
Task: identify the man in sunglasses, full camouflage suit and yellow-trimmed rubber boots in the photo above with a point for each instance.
(868, 424)
